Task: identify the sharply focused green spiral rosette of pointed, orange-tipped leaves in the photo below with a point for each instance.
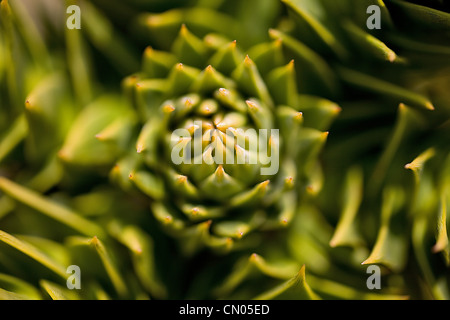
(222, 192)
